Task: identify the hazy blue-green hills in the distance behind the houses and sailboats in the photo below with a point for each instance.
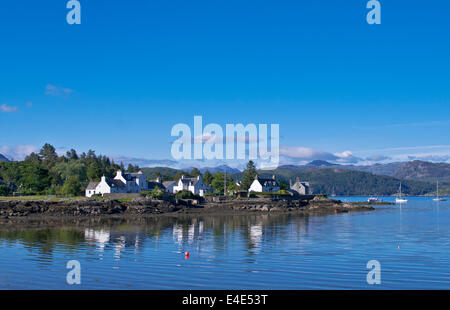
(417, 177)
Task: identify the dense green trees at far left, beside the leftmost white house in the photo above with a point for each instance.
(47, 173)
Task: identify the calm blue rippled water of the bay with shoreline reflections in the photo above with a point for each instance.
(235, 252)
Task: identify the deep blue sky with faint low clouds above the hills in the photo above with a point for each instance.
(118, 82)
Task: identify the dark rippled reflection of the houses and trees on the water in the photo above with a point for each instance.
(120, 233)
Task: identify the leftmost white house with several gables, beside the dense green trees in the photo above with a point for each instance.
(122, 183)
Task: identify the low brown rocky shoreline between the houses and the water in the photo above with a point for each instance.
(15, 208)
